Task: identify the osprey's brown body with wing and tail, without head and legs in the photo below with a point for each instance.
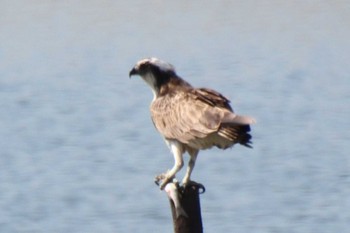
(199, 118)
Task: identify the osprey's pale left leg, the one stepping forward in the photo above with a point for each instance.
(177, 150)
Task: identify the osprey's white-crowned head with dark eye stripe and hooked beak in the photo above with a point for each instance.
(154, 71)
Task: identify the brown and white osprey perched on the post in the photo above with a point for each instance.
(190, 119)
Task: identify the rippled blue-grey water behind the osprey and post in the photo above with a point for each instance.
(78, 149)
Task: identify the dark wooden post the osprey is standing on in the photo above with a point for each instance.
(185, 207)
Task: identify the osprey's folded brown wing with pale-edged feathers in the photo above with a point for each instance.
(194, 114)
